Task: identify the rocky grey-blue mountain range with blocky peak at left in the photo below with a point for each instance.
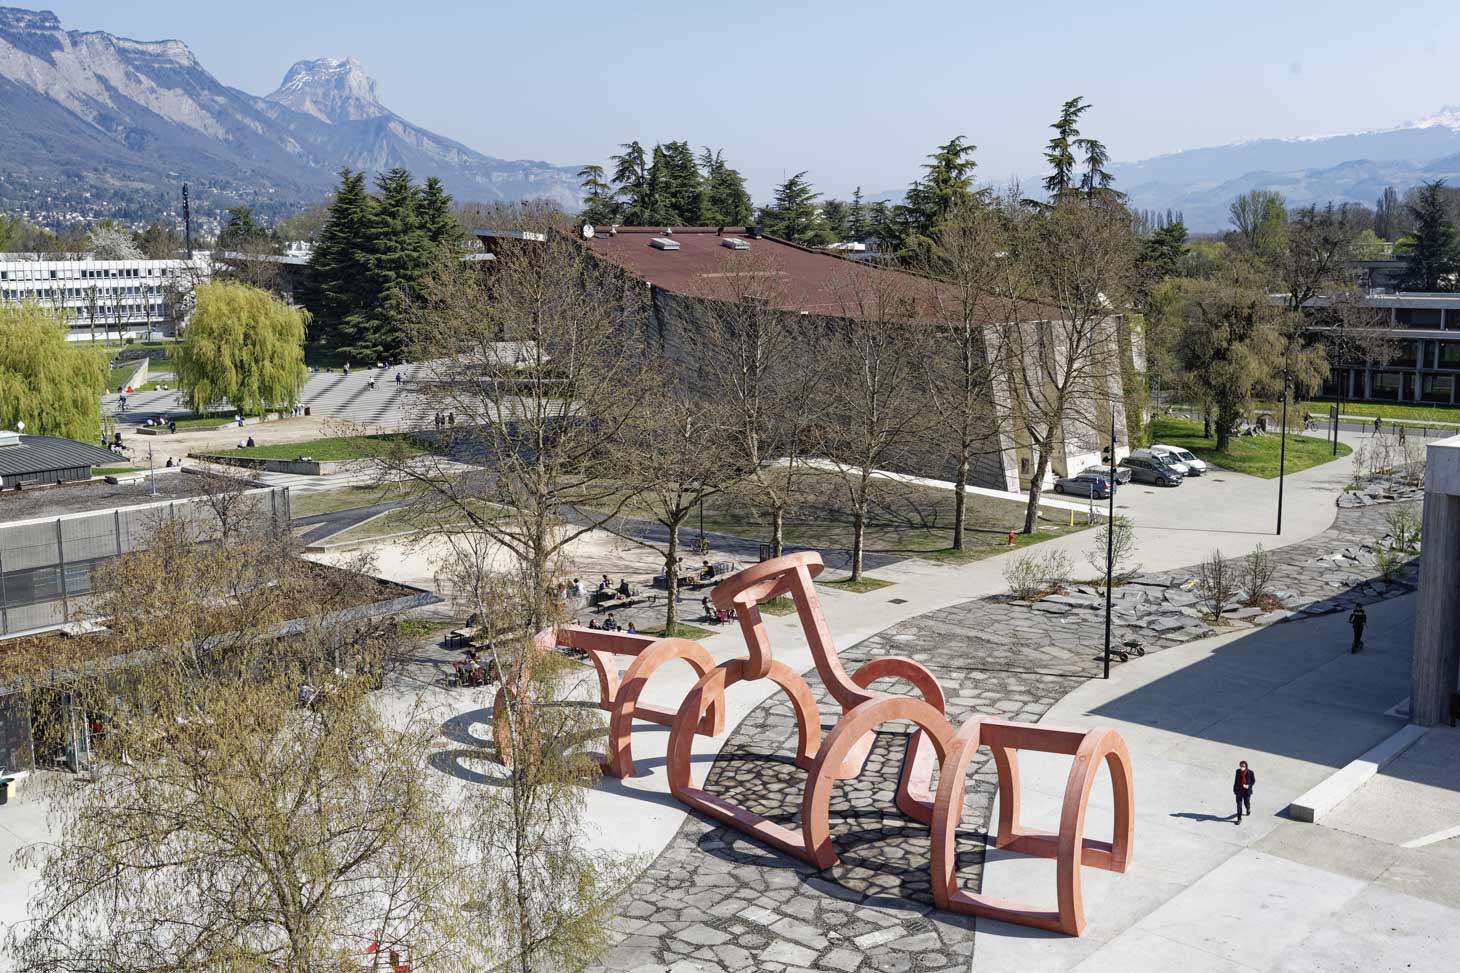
(97, 125)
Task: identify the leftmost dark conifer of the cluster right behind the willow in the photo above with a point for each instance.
(338, 284)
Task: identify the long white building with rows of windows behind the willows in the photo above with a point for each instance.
(107, 299)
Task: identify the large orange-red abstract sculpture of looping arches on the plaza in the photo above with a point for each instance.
(935, 746)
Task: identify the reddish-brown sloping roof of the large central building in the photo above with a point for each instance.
(808, 281)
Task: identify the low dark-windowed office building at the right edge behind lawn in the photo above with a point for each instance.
(1420, 353)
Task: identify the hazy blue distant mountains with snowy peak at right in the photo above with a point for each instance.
(1340, 169)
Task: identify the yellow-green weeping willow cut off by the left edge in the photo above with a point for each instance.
(46, 382)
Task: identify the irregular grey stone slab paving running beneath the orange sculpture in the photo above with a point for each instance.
(718, 901)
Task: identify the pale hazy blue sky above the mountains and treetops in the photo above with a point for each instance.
(856, 93)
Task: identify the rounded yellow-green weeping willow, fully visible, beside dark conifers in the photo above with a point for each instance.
(243, 346)
